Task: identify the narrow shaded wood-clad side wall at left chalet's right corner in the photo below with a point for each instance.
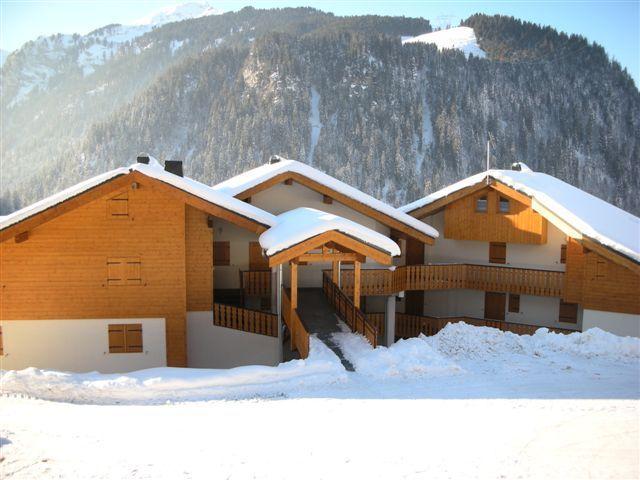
(199, 260)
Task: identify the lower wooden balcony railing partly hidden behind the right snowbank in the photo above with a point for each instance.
(413, 325)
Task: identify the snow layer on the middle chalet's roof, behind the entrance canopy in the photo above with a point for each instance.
(244, 181)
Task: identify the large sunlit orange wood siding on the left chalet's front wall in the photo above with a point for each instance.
(61, 271)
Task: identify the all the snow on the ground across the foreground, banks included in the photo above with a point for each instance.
(470, 402)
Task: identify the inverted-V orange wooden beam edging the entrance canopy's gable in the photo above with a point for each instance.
(332, 236)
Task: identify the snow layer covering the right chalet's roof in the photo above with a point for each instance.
(591, 216)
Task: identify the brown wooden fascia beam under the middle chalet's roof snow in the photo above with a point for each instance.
(339, 197)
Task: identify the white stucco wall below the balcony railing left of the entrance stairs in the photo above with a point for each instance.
(210, 346)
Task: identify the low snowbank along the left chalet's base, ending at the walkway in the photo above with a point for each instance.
(158, 385)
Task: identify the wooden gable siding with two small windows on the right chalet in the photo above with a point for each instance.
(520, 225)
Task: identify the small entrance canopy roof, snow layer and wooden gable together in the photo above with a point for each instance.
(308, 235)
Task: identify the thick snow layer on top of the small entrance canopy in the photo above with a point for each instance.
(300, 224)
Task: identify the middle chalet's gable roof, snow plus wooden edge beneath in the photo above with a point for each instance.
(244, 184)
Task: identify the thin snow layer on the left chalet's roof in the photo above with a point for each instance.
(153, 170)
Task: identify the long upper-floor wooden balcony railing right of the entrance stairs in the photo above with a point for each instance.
(457, 275)
